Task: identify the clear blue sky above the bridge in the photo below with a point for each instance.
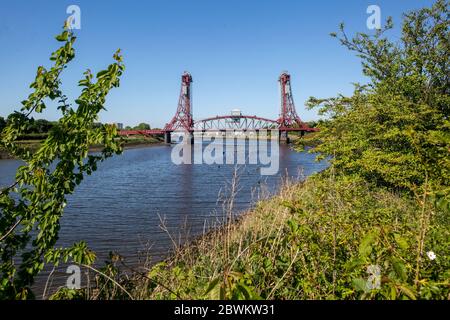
(234, 49)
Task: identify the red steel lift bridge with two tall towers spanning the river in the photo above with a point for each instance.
(183, 121)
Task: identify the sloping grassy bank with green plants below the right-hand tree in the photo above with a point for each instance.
(322, 239)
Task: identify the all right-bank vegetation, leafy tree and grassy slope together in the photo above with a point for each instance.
(375, 225)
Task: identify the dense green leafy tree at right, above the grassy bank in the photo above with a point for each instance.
(395, 130)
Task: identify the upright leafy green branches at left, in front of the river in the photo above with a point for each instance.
(31, 207)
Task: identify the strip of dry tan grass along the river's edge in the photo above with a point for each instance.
(217, 252)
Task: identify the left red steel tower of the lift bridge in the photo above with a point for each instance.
(182, 120)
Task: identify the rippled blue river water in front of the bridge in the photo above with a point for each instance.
(120, 207)
